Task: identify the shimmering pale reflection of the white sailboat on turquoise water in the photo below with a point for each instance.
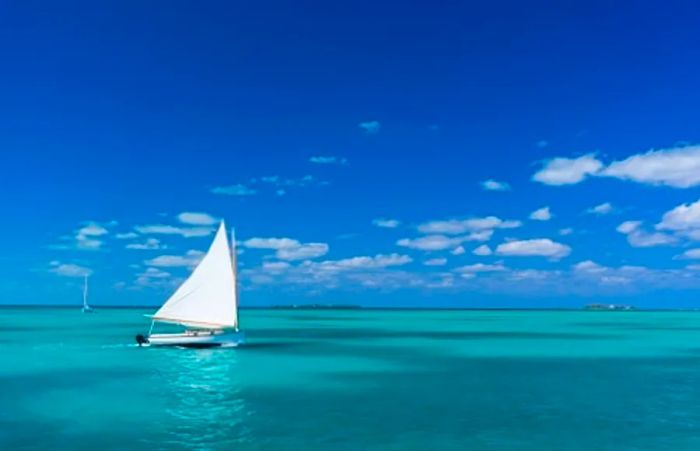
(205, 409)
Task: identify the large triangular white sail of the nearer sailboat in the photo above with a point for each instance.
(208, 298)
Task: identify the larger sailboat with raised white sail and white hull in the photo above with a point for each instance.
(206, 304)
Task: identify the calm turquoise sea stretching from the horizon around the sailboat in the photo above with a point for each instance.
(356, 380)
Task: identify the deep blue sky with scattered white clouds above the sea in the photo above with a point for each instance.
(445, 154)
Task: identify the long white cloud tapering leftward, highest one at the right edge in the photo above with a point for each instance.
(678, 167)
